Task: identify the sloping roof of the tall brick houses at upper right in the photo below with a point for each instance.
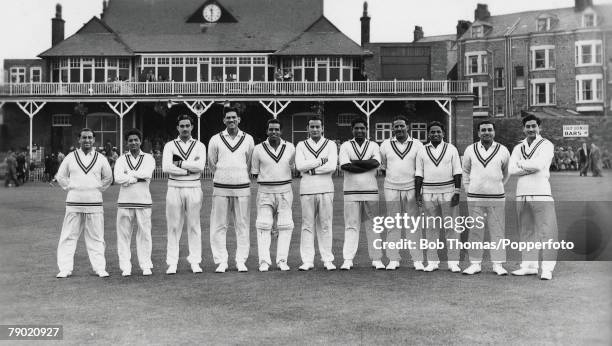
(522, 23)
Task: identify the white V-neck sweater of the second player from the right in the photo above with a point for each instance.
(485, 171)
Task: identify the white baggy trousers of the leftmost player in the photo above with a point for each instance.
(74, 224)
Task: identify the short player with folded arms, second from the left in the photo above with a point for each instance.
(133, 171)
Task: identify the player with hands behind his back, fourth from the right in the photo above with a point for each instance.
(398, 161)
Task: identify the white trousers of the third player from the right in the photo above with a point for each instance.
(438, 204)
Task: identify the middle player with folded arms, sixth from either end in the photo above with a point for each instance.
(316, 158)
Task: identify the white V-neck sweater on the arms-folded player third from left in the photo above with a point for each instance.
(189, 171)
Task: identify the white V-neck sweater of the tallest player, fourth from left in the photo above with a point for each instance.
(230, 161)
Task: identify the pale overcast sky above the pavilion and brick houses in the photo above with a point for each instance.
(25, 25)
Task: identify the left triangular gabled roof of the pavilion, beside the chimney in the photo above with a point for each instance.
(95, 38)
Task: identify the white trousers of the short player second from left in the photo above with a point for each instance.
(126, 217)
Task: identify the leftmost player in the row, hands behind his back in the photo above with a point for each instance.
(85, 174)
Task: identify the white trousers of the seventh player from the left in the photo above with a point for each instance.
(357, 214)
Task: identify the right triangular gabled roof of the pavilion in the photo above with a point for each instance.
(321, 38)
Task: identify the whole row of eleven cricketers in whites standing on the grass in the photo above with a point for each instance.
(419, 178)
